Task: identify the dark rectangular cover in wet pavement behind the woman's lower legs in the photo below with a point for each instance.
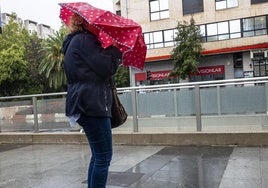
(123, 179)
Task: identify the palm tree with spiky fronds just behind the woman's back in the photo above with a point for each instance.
(52, 64)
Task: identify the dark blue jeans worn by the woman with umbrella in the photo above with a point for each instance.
(99, 135)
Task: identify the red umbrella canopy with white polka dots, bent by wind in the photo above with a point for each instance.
(111, 28)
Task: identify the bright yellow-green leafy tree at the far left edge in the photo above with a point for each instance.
(13, 65)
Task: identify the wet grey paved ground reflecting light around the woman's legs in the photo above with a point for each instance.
(65, 166)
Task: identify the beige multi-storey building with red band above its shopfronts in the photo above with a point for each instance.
(234, 33)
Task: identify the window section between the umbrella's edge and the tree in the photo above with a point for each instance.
(159, 39)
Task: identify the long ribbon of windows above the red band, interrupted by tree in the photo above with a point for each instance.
(212, 32)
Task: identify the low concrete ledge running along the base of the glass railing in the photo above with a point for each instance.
(177, 139)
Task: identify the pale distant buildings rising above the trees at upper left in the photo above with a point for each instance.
(43, 31)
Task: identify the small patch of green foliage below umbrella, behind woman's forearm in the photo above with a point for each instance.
(122, 77)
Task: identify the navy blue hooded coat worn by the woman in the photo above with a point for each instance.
(89, 68)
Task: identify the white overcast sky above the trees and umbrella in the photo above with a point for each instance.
(44, 11)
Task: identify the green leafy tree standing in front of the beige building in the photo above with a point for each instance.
(187, 51)
